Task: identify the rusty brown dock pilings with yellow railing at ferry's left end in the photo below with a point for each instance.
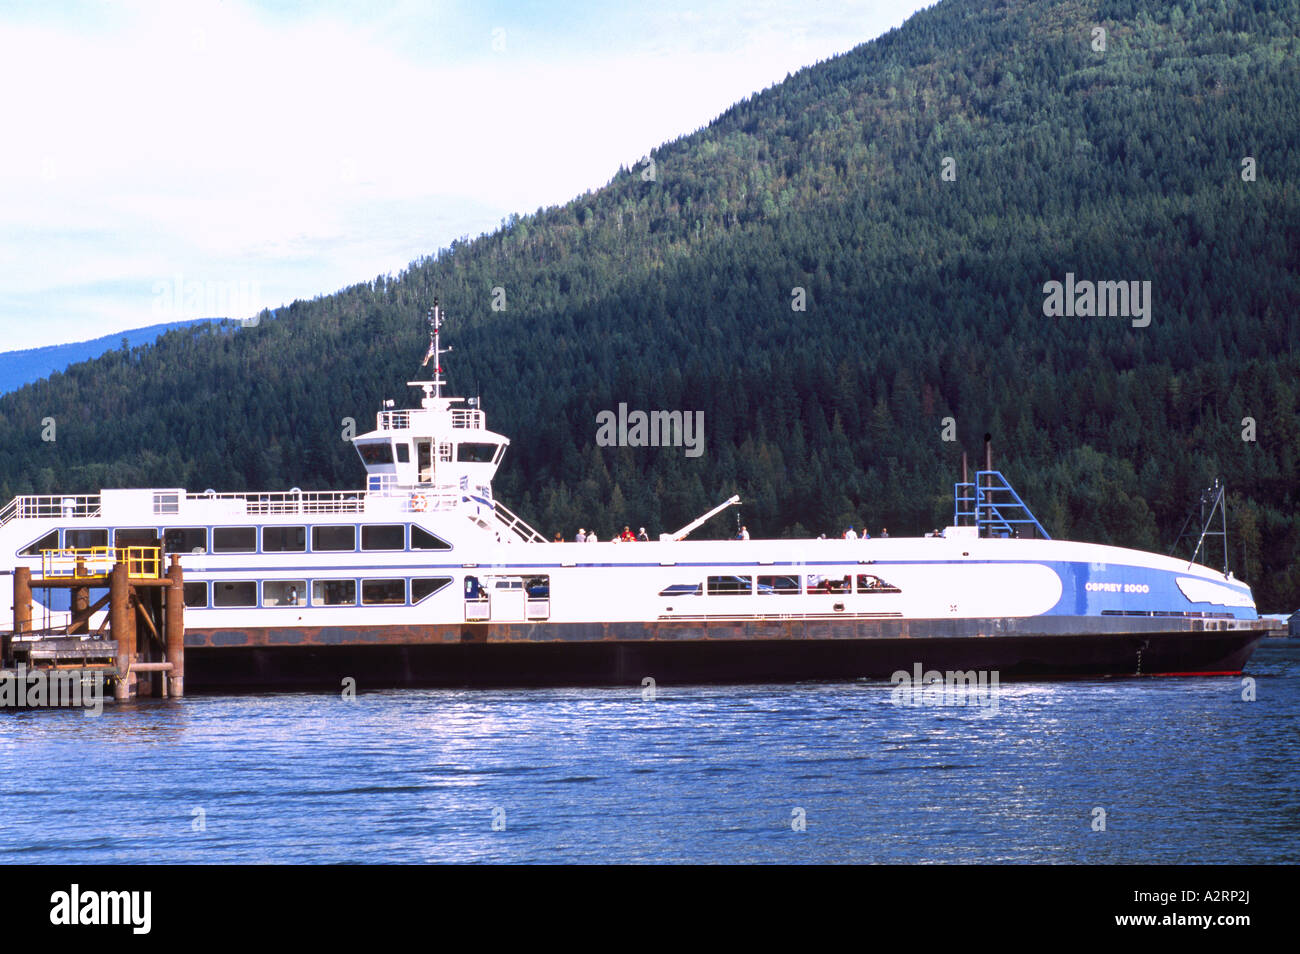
(140, 644)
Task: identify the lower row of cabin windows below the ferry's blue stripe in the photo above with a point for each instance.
(244, 593)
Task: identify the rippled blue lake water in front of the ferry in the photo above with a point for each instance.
(1185, 770)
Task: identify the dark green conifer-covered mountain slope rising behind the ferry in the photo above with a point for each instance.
(1169, 157)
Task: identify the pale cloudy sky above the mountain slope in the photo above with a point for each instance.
(213, 158)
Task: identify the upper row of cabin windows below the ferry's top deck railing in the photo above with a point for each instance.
(245, 540)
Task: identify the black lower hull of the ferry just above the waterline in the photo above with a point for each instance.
(627, 664)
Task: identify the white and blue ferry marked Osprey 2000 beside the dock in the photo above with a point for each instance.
(423, 578)
